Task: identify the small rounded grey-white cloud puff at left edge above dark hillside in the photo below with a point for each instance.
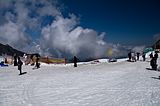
(11, 34)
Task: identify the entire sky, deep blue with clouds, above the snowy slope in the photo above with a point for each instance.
(84, 28)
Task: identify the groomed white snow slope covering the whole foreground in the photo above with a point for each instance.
(99, 84)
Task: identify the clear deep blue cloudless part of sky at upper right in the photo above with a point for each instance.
(132, 22)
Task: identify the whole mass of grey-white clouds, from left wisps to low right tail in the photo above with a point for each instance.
(62, 37)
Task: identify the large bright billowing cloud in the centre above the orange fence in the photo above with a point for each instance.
(64, 36)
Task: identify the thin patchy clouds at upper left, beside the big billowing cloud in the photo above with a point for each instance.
(16, 18)
